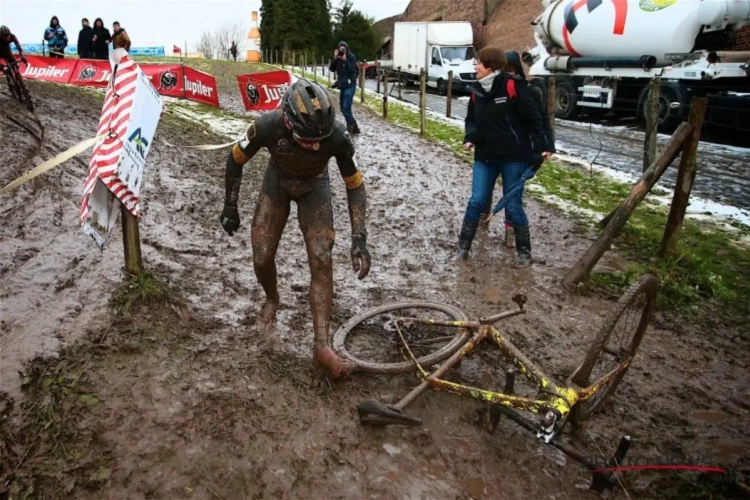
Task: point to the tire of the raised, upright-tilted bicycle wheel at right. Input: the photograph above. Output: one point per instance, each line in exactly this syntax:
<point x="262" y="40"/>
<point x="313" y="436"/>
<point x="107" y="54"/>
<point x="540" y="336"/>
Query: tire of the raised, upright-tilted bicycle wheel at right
<point x="646" y="285"/>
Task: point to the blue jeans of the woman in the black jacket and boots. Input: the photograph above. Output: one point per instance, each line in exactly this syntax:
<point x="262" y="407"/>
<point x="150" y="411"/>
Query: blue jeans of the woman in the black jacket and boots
<point x="482" y="184"/>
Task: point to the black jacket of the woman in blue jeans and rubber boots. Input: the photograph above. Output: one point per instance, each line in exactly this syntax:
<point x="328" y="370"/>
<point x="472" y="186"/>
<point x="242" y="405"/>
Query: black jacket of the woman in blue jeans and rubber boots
<point x="502" y="129"/>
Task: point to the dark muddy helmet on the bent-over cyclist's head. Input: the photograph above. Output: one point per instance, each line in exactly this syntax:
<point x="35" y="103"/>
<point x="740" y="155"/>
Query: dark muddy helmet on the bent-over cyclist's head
<point x="309" y="111"/>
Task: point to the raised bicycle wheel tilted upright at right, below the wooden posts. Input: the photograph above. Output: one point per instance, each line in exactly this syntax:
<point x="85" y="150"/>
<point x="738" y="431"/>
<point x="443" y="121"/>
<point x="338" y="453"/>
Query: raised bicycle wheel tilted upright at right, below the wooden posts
<point x="636" y="304"/>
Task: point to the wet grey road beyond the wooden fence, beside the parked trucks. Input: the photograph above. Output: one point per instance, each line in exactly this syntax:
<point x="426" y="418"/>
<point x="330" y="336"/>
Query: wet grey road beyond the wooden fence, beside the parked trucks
<point x="723" y="174"/>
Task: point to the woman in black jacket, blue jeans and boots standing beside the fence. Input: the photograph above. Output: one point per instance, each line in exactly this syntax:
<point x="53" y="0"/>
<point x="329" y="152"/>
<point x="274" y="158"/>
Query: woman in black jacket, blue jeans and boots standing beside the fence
<point x="505" y="129"/>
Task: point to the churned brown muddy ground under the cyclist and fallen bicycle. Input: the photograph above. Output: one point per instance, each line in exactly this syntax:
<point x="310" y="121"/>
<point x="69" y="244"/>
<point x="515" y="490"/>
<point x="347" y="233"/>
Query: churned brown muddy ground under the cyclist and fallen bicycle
<point x="177" y="396"/>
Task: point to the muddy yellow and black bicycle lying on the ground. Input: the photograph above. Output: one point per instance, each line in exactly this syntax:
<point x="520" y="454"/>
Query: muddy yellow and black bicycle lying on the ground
<point x="576" y="401"/>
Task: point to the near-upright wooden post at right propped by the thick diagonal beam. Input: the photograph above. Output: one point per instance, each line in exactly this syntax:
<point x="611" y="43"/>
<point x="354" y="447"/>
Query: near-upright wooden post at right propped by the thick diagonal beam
<point x="685" y="178"/>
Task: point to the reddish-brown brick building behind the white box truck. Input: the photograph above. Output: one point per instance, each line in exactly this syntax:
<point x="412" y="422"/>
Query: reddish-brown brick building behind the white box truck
<point x="504" y="23"/>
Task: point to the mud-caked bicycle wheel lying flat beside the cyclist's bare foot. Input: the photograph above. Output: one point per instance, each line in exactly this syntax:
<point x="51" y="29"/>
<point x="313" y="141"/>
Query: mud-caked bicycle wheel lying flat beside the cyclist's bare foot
<point x="421" y="338"/>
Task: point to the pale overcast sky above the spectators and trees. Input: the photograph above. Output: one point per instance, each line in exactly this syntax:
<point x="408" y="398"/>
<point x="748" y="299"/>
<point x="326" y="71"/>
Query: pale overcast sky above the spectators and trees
<point x="150" y="22"/>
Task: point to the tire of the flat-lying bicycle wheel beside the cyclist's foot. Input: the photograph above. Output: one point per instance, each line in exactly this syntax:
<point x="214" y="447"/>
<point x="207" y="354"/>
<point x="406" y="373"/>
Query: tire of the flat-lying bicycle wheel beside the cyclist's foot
<point x="339" y="338"/>
